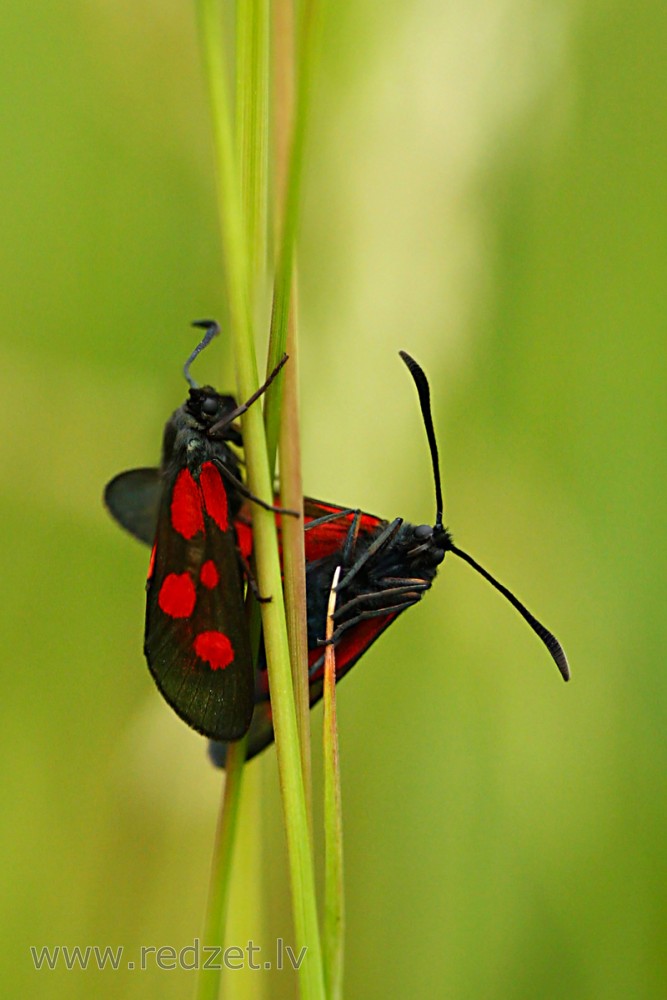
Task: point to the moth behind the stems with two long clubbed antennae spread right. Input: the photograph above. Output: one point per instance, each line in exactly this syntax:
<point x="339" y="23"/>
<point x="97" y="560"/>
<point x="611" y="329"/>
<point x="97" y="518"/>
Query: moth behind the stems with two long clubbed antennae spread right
<point x="386" y="568"/>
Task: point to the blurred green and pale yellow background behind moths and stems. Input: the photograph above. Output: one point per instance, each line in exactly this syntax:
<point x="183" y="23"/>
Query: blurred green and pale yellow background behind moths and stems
<point x="485" y="188"/>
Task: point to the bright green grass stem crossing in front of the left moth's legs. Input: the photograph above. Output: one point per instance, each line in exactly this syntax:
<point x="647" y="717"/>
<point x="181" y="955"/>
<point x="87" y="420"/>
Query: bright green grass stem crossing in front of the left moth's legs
<point x="239" y="292"/>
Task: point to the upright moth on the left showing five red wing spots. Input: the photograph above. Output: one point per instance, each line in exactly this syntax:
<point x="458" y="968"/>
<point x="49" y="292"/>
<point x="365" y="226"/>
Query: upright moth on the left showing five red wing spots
<point x="196" y="640"/>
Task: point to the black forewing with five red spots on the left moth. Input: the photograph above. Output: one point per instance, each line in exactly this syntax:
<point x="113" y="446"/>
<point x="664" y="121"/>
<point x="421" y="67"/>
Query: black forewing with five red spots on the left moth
<point x="196" y="643"/>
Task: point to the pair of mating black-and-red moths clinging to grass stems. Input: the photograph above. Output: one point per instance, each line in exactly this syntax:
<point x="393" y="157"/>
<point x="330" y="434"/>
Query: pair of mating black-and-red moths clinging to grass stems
<point x="196" y="513"/>
